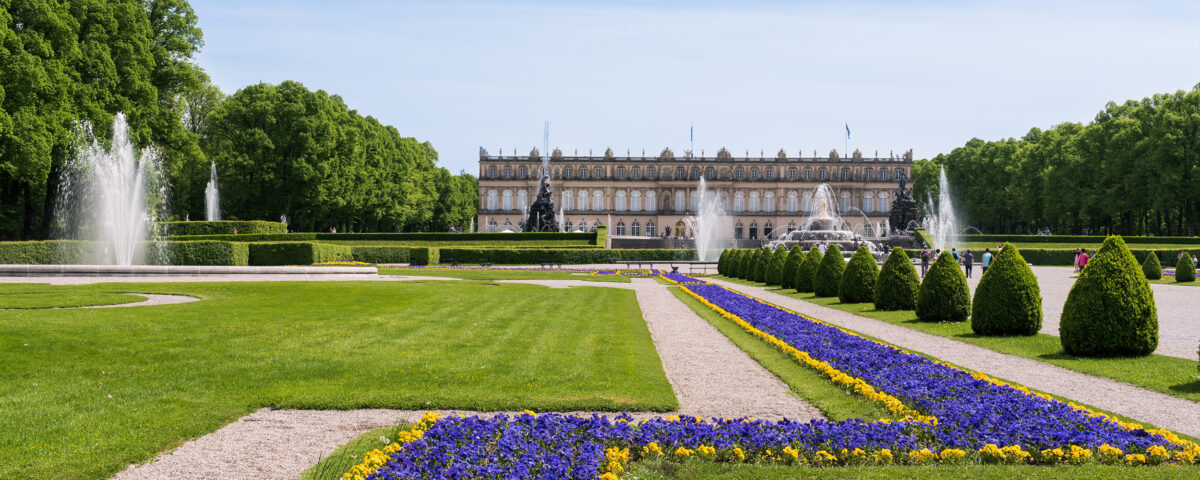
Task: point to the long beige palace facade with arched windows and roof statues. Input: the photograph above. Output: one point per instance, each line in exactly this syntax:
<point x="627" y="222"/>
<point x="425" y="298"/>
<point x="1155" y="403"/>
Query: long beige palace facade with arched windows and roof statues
<point x="640" y="196"/>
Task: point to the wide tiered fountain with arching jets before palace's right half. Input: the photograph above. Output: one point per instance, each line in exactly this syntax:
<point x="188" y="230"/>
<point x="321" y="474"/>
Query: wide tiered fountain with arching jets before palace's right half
<point x="825" y="226"/>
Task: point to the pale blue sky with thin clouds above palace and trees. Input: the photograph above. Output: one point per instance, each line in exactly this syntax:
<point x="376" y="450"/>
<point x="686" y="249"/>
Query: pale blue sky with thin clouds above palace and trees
<point x="761" y="76"/>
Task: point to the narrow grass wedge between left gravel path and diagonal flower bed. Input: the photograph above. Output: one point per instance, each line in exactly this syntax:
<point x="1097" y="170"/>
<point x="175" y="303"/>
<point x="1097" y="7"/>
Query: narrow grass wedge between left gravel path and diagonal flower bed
<point x="835" y="403"/>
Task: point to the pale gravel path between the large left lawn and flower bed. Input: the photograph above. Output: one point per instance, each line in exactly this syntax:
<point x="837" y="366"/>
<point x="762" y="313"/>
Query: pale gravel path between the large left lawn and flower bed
<point x="710" y="375"/>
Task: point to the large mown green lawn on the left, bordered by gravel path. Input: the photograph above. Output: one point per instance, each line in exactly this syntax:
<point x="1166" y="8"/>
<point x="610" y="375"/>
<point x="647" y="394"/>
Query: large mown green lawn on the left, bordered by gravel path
<point x="83" y="393"/>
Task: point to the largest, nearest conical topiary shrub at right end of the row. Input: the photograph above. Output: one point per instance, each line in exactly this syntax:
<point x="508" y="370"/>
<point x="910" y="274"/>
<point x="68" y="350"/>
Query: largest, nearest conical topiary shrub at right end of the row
<point x="1111" y="310"/>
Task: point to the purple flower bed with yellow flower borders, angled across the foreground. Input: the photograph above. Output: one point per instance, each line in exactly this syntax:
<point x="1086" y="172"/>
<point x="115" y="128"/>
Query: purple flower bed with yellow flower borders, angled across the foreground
<point x="940" y="415"/>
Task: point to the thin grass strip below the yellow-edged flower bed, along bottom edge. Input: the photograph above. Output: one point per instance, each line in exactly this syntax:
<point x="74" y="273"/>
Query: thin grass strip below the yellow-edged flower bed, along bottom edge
<point x="710" y="471"/>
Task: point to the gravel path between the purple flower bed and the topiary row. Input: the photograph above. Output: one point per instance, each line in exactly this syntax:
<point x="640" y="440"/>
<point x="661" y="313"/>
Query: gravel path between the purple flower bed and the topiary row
<point x="1163" y="411"/>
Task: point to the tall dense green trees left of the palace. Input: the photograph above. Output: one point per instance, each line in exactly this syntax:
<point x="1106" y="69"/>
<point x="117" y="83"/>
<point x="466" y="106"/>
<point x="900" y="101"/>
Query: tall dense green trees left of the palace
<point x="279" y="149"/>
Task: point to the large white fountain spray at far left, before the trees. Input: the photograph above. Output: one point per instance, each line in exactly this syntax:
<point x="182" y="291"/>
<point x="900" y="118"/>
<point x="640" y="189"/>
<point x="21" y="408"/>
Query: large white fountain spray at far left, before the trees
<point x="113" y="197"/>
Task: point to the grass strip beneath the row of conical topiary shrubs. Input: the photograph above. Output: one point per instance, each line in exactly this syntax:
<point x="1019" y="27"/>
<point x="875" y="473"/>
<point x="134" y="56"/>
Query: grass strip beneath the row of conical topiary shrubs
<point x="1167" y="375"/>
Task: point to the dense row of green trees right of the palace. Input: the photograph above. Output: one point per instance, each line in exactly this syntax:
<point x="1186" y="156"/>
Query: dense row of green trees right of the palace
<point x="1133" y="171"/>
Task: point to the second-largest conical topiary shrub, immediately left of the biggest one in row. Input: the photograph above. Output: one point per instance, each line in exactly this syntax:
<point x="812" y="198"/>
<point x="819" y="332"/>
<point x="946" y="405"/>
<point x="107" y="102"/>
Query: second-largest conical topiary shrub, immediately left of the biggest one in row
<point x="1009" y="301"/>
